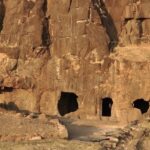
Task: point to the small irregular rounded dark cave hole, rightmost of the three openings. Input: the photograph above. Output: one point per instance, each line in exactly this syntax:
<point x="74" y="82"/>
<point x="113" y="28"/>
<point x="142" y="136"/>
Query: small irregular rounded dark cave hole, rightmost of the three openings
<point x="142" y="105"/>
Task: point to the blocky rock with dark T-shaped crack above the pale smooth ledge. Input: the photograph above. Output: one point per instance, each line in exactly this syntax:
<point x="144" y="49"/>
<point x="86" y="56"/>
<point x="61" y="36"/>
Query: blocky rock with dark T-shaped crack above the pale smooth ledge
<point x="136" y="23"/>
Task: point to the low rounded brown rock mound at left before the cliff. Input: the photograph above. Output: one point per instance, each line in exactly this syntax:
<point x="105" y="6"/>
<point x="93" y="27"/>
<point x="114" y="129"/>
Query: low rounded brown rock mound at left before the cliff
<point x="16" y="127"/>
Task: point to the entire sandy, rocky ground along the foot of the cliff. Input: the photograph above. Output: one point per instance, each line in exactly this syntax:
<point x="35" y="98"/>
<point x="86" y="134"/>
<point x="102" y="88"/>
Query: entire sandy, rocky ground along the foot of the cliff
<point x="21" y="131"/>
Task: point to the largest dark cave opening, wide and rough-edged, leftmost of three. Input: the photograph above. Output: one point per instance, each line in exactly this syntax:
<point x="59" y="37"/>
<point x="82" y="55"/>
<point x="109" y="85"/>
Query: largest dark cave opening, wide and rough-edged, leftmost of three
<point x="67" y="103"/>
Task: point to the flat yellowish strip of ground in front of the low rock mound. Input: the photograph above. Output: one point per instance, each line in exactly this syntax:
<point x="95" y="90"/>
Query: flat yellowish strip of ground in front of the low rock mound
<point x="56" y="144"/>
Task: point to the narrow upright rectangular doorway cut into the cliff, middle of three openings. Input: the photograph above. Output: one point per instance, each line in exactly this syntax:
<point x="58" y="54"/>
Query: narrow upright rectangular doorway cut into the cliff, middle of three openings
<point x="106" y="106"/>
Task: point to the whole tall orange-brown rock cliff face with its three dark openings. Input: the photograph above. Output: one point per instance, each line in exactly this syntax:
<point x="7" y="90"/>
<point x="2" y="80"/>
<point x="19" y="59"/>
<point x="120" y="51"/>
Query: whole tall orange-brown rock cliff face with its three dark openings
<point x="90" y="57"/>
